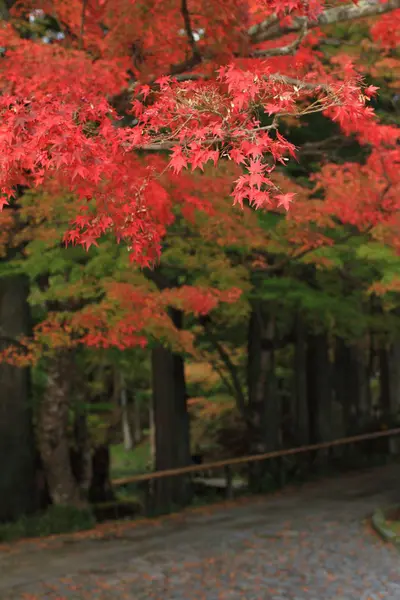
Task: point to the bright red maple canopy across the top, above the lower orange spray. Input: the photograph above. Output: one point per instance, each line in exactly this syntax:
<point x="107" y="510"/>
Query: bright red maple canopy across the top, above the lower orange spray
<point x="197" y="75"/>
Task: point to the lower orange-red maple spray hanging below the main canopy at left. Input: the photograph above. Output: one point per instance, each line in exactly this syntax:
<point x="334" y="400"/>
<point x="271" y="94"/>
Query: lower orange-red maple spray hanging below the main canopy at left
<point x="127" y="317"/>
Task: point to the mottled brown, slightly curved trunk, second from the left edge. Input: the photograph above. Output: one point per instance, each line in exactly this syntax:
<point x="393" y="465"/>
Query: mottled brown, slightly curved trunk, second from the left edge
<point x="53" y="433"/>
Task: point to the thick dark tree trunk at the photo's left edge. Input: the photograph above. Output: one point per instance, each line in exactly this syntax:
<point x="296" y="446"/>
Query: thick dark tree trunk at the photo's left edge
<point x="18" y="490"/>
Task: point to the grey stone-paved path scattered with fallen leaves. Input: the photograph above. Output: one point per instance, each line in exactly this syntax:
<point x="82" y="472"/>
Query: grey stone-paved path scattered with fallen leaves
<point x="311" y="544"/>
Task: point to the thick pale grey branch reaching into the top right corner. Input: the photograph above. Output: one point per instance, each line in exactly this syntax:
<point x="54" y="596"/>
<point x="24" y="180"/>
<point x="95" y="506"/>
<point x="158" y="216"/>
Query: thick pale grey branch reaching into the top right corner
<point x="271" y="28"/>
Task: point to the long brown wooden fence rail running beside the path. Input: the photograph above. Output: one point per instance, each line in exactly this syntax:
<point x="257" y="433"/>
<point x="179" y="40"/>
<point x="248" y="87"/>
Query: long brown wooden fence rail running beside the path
<point x="227" y="464"/>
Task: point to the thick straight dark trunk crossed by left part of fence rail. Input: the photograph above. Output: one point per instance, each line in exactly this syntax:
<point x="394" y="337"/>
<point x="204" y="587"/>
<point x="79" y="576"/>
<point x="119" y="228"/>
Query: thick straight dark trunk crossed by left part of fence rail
<point x="171" y="420"/>
